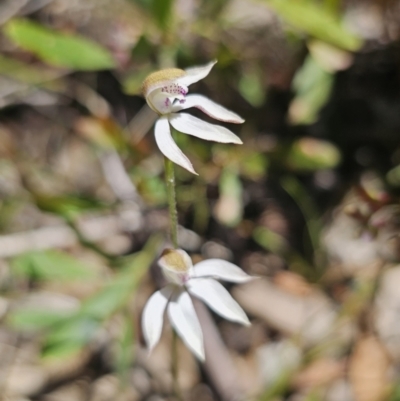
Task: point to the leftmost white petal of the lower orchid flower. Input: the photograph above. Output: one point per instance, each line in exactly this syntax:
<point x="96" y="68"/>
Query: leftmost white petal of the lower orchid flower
<point x="152" y="317"/>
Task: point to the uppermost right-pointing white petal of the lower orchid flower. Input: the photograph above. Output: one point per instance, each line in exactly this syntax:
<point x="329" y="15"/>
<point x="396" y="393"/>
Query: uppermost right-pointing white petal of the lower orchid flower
<point x="220" y="269"/>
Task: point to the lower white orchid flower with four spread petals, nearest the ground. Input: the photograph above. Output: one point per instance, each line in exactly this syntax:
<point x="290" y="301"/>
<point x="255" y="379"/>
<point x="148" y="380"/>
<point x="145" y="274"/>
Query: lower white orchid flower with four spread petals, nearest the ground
<point x="198" y="280"/>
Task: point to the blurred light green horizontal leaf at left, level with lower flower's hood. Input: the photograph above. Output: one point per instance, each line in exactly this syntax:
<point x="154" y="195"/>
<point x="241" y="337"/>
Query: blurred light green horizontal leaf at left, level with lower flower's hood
<point x="50" y="265"/>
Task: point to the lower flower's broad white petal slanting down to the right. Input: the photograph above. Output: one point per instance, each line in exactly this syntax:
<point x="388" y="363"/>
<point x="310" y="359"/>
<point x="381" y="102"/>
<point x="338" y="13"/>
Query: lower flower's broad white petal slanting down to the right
<point x="218" y="299"/>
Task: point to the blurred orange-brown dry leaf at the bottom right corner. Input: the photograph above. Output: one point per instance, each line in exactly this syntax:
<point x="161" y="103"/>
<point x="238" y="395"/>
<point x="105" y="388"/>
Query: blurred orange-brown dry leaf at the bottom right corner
<point x="368" y="370"/>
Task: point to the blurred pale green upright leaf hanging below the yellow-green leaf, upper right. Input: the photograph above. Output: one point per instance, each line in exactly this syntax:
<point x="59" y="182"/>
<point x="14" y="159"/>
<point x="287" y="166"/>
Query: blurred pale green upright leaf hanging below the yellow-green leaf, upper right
<point x="312" y="85"/>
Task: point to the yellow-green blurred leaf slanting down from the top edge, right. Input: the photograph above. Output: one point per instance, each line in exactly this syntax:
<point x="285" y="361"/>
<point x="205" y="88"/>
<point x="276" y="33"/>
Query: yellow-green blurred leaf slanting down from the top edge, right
<point x="317" y="21"/>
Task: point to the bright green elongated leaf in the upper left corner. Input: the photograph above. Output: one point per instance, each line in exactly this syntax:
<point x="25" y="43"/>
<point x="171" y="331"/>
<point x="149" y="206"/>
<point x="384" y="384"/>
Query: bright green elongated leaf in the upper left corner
<point x="62" y="50"/>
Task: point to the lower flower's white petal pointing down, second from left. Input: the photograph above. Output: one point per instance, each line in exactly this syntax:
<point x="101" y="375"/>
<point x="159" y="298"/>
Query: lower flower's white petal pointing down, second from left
<point x="184" y="319"/>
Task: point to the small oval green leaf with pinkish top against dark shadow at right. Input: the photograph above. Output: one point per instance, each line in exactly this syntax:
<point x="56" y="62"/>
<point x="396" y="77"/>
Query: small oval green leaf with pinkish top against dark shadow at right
<point x="309" y="154"/>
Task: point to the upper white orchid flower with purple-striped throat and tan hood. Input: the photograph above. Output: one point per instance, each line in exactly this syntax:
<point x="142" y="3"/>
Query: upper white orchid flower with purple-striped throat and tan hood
<point x="166" y="92"/>
